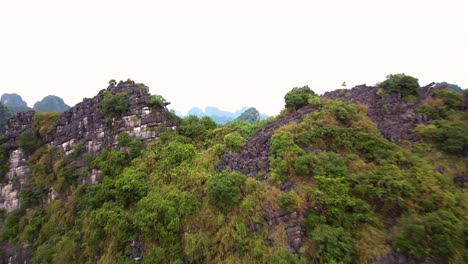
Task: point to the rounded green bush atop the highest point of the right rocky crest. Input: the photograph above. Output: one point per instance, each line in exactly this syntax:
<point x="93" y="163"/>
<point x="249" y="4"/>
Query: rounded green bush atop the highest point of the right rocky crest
<point x="405" y="85"/>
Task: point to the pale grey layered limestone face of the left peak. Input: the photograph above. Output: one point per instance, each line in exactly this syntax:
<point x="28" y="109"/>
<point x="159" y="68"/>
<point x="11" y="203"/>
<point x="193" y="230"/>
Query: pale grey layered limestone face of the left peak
<point x="85" y="123"/>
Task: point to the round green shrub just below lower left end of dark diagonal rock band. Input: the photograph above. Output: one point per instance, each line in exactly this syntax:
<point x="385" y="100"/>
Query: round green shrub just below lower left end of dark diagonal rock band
<point x="224" y="189"/>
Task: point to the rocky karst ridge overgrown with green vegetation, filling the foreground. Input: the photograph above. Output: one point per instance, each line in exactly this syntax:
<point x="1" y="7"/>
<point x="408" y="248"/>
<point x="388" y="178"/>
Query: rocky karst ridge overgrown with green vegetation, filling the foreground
<point x="323" y="184"/>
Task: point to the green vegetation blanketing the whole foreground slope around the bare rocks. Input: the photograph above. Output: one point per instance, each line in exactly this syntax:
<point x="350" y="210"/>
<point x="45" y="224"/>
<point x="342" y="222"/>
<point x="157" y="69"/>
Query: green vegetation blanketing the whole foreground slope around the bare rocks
<point x="358" y="195"/>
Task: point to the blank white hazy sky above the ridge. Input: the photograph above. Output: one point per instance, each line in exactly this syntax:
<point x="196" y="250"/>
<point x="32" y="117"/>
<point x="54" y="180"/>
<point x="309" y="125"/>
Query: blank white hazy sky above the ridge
<point x="226" y="53"/>
